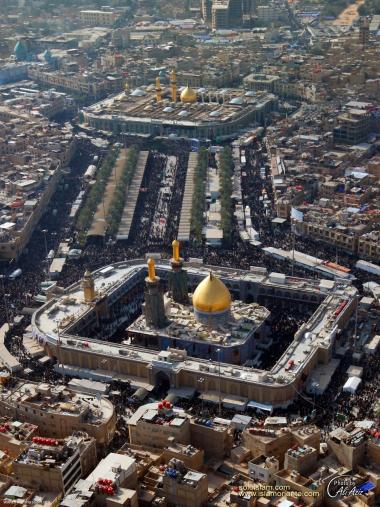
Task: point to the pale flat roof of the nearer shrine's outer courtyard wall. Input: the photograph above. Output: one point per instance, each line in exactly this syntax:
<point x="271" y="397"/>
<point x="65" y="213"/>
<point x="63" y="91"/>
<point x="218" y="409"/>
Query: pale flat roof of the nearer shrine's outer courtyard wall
<point x="317" y="332"/>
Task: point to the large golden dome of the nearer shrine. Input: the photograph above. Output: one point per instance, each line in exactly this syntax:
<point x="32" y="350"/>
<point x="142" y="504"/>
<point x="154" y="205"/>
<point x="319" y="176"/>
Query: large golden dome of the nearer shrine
<point x="211" y="295"/>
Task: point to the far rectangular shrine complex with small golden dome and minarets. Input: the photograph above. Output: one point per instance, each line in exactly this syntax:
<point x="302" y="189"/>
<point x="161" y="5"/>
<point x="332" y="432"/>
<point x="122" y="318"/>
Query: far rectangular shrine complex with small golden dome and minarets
<point x="207" y="114"/>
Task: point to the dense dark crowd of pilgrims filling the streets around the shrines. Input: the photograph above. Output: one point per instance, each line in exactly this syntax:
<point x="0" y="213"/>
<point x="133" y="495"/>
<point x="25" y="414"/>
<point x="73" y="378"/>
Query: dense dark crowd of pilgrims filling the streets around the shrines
<point x="18" y="294"/>
